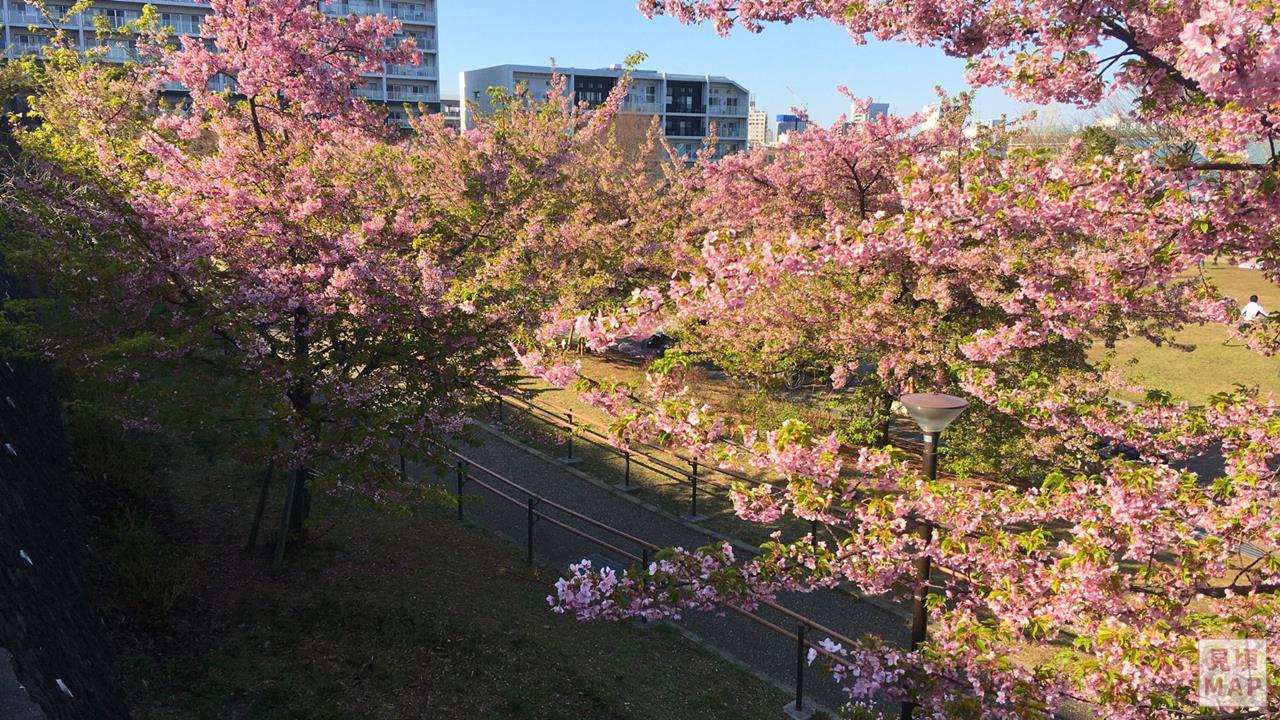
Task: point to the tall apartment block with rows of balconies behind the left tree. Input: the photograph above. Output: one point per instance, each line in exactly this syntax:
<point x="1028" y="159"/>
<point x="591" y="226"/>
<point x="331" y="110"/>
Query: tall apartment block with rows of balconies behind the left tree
<point x="396" y="85"/>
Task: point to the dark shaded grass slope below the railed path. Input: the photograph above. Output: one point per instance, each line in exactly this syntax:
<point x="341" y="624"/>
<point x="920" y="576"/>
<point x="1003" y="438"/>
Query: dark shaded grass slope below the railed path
<point x="386" y="617"/>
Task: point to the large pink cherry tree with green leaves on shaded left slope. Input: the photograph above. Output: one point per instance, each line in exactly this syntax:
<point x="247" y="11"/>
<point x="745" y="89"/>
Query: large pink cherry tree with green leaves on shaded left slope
<point x="346" y="285"/>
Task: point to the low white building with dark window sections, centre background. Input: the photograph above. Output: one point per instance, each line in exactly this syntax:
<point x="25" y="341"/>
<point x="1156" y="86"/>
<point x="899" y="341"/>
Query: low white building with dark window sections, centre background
<point x="687" y="106"/>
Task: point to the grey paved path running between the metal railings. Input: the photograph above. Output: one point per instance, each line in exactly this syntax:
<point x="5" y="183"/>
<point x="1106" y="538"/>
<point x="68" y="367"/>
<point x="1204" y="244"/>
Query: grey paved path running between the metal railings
<point x="762" y="650"/>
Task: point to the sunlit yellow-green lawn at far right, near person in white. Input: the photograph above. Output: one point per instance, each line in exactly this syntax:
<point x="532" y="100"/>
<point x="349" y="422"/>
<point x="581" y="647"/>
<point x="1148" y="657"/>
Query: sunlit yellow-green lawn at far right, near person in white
<point x="1212" y="367"/>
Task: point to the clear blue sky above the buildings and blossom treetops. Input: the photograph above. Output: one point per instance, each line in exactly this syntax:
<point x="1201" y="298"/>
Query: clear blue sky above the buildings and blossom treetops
<point x="784" y="67"/>
